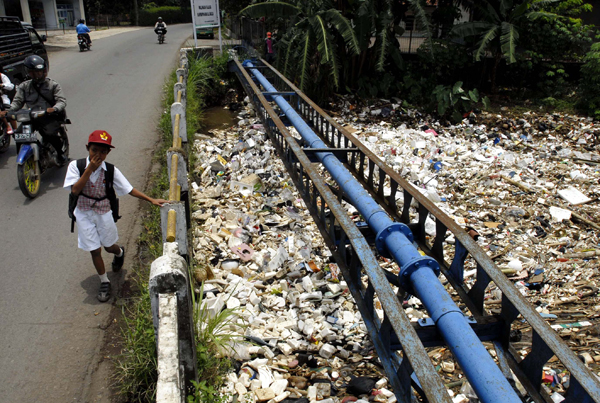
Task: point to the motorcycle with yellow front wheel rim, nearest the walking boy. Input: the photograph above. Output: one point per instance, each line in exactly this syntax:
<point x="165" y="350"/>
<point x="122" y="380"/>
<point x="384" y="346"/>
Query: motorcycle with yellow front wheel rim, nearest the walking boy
<point x="35" y="156"/>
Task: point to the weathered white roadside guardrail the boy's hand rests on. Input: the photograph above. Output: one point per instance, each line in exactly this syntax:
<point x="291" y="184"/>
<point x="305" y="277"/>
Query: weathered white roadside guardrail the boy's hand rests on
<point x="169" y="285"/>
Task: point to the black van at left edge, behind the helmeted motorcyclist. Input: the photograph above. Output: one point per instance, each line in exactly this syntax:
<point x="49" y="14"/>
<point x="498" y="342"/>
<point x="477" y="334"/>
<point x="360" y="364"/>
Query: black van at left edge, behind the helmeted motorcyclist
<point x="17" y="41"/>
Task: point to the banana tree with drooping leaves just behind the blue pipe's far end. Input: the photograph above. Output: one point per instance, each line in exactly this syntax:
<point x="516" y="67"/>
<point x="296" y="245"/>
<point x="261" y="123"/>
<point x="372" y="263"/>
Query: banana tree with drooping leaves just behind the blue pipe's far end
<point x="320" y="34"/>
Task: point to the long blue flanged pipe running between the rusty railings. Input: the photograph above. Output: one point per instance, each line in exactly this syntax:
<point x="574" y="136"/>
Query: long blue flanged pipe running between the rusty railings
<point x="417" y="273"/>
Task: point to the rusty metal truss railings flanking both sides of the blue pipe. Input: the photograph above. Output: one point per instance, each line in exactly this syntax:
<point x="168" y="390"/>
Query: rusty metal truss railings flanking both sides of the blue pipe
<point x="400" y="343"/>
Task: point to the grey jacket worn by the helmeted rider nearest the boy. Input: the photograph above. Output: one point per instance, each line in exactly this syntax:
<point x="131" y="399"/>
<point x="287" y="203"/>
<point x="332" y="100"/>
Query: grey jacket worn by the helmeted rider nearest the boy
<point x="26" y="94"/>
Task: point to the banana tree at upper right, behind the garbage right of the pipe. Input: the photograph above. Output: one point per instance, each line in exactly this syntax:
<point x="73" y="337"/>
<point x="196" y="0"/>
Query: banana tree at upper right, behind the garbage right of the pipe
<point x="496" y="31"/>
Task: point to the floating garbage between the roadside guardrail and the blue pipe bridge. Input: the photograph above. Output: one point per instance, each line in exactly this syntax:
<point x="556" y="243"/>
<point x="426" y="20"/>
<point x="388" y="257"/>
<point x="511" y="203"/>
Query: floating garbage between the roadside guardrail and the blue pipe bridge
<point x="260" y="254"/>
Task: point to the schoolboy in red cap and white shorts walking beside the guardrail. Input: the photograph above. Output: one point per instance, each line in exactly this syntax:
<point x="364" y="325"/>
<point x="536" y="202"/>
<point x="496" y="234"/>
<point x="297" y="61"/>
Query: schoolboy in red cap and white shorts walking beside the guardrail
<point x="96" y="227"/>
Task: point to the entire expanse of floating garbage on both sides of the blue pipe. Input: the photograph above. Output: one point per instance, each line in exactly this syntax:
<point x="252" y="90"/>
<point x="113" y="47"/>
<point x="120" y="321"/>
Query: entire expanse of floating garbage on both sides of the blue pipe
<point x="528" y="185"/>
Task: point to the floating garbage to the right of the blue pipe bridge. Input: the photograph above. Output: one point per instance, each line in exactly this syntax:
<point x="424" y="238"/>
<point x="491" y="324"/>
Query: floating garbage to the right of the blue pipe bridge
<point x="529" y="185"/>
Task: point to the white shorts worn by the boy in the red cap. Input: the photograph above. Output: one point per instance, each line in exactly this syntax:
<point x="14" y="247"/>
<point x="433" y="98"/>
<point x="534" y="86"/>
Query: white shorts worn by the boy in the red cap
<point x="95" y="230"/>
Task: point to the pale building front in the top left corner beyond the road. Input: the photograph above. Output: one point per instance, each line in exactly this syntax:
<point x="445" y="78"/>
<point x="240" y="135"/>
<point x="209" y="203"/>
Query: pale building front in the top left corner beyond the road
<point x="49" y="14"/>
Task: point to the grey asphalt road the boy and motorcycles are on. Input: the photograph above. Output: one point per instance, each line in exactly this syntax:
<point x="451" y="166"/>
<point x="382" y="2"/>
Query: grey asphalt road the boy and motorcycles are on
<point x="50" y="320"/>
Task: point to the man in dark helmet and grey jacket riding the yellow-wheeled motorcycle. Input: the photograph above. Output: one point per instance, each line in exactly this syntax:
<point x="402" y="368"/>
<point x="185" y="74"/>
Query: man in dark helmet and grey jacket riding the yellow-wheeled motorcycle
<point x="42" y="93"/>
